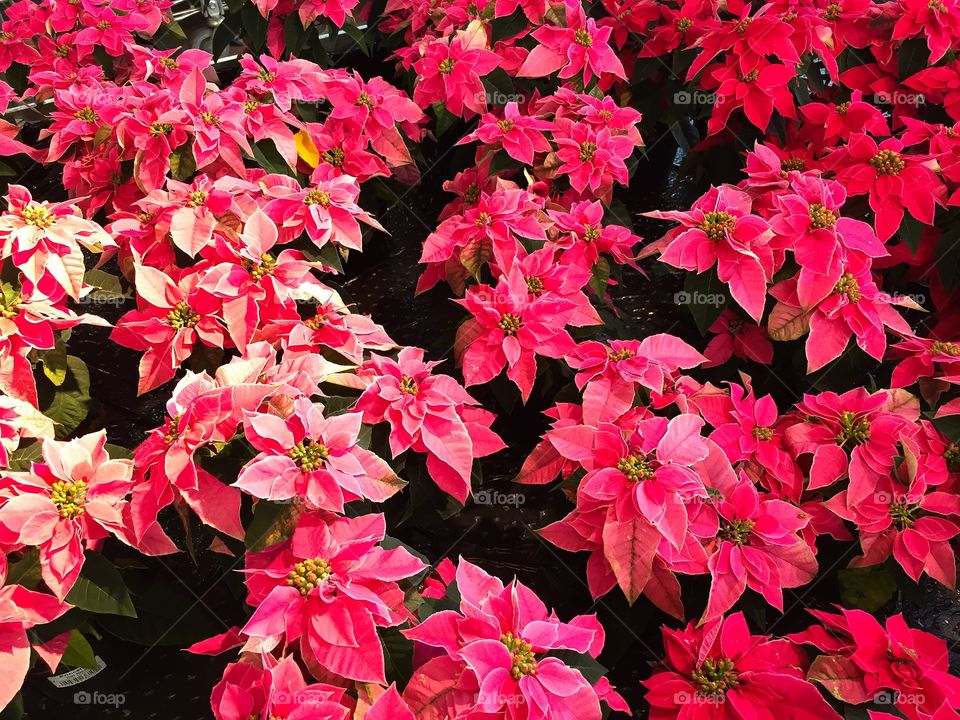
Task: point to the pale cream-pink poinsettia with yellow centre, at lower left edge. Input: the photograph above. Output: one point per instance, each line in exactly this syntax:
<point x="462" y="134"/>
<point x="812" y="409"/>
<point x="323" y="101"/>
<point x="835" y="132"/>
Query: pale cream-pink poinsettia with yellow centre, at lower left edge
<point x="66" y="504"/>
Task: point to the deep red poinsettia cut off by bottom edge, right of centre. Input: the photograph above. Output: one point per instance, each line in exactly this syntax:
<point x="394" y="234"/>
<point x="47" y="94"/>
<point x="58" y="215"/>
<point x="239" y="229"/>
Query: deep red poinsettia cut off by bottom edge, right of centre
<point x="719" y="671"/>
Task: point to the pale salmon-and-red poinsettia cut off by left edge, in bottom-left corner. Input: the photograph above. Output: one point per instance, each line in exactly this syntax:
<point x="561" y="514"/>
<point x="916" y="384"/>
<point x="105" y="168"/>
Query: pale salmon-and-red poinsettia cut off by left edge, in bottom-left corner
<point x="20" y="610"/>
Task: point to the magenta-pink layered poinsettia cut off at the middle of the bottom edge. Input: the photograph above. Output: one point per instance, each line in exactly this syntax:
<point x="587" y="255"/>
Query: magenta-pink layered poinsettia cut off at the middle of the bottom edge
<point x="502" y="634"/>
